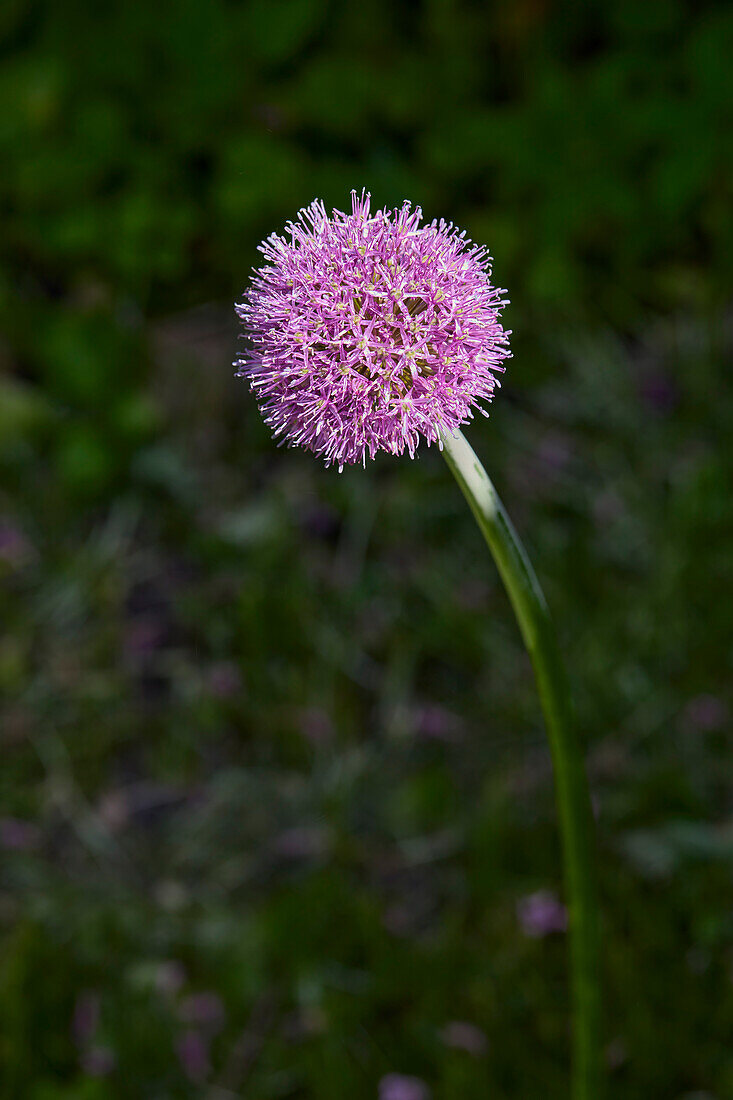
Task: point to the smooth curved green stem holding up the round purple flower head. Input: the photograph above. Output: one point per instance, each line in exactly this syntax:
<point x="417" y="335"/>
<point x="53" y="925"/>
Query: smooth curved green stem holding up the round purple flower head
<point x="572" y="786"/>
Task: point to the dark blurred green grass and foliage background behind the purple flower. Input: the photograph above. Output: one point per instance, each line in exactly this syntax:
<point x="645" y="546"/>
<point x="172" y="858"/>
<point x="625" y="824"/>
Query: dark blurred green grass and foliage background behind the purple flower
<point x="277" y="809"/>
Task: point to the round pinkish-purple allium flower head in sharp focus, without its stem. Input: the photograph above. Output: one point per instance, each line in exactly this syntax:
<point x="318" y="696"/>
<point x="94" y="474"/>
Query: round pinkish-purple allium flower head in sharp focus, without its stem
<point x="369" y="331"/>
